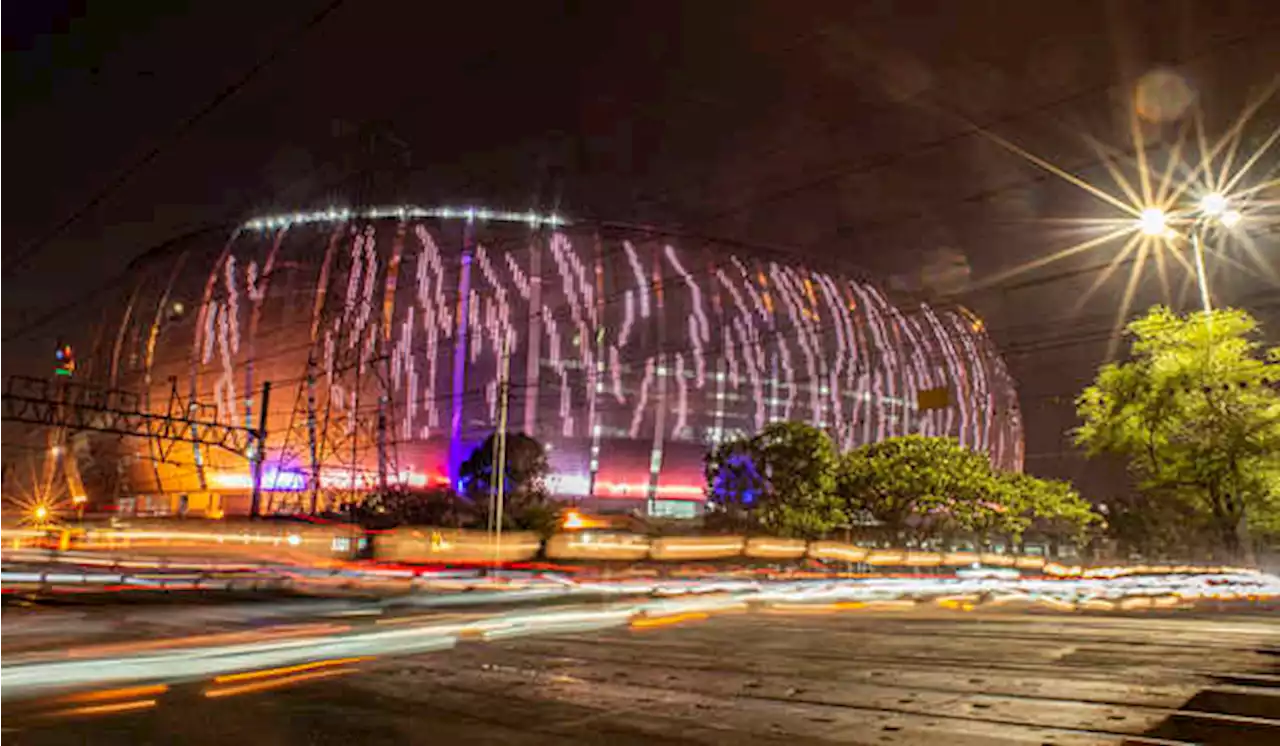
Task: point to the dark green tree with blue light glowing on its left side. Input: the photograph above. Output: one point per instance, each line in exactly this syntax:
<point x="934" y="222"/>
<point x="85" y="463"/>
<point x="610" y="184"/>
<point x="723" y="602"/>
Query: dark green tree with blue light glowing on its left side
<point x="783" y="480"/>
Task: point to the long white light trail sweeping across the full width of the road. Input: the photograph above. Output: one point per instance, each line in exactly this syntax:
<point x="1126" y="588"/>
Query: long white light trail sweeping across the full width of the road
<point x="668" y="603"/>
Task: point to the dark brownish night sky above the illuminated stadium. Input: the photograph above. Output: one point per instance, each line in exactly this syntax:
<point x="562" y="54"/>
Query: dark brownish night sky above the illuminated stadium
<point x="839" y="130"/>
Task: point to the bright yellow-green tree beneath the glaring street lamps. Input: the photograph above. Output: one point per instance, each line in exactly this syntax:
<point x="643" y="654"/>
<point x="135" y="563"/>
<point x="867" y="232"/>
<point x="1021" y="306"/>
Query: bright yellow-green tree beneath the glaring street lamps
<point x="1196" y="414"/>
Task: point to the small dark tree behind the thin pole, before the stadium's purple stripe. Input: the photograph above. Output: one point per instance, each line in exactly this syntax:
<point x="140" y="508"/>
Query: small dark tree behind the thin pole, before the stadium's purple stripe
<point x="527" y="502"/>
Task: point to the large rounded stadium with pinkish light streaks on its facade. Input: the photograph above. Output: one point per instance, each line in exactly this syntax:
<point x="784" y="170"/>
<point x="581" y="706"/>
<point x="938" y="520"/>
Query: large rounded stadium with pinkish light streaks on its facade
<point x="391" y="340"/>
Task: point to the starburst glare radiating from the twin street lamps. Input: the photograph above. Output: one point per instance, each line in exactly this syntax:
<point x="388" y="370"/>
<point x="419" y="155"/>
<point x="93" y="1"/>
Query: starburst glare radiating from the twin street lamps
<point x="1148" y="214"/>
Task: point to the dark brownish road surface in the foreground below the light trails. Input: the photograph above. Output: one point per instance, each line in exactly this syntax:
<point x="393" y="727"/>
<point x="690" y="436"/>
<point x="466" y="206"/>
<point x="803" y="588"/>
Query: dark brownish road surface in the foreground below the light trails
<point x="851" y="678"/>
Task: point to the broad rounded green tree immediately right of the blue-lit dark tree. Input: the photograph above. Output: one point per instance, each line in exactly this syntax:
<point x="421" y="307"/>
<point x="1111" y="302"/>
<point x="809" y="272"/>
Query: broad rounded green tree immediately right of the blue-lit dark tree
<point x="920" y="487"/>
